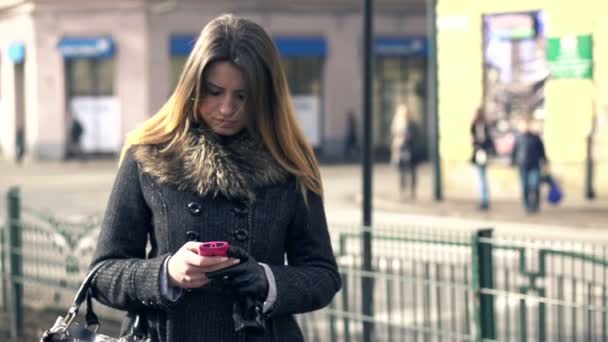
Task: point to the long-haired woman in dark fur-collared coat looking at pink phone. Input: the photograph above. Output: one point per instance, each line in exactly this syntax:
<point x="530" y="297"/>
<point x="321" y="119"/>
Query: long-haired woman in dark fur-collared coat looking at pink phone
<point x="224" y="159"/>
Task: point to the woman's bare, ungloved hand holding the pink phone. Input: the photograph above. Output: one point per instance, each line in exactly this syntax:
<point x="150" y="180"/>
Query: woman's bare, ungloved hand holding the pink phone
<point x="187" y="269"/>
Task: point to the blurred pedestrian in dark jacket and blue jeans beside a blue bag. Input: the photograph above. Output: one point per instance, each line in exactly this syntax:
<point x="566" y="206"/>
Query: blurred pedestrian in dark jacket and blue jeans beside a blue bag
<point x="529" y="156"/>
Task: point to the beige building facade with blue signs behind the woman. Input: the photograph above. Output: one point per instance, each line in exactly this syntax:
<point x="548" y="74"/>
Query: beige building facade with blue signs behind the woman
<point x="111" y="64"/>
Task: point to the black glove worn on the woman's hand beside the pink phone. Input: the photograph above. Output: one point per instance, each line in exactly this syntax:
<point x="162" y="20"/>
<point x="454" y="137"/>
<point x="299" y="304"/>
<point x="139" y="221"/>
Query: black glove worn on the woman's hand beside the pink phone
<point x="247" y="278"/>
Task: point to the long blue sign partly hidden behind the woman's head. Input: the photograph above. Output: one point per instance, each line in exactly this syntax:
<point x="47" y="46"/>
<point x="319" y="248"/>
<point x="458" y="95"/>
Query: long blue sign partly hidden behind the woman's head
<point x="182" y="44"/>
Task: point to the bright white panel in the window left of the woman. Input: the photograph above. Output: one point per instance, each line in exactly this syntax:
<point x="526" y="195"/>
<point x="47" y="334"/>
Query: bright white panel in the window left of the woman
<point x="101" y="121"/>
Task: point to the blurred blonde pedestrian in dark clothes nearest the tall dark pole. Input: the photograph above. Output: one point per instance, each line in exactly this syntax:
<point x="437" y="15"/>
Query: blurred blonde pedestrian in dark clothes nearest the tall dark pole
<point x="404" y="132"/>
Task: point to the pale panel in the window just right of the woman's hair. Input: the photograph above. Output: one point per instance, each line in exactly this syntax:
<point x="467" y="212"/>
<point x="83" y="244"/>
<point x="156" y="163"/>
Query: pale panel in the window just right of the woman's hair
<point x="308" y="110"/>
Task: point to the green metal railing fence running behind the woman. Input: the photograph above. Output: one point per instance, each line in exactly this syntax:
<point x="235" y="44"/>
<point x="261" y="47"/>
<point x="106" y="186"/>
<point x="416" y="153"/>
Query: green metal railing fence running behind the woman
<point x="429" y="284"/>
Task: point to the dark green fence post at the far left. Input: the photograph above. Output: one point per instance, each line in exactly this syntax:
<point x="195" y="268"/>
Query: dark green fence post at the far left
<point x="15" y="284"/>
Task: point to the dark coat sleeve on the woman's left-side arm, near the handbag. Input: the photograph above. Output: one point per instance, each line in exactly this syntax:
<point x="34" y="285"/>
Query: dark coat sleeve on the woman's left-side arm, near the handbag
<point x="127" y="281"/>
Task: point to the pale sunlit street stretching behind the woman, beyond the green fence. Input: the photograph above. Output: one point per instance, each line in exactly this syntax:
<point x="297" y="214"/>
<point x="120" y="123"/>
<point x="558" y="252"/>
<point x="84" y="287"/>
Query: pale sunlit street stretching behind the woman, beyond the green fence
<point x="80" y="189"/>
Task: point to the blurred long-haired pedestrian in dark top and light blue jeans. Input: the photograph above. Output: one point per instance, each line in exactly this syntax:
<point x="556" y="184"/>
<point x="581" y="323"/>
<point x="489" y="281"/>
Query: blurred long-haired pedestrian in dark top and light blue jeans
<point x="483" y="148"/>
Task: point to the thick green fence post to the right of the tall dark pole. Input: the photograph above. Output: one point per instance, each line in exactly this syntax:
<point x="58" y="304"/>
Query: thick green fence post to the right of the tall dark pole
<point x="483" y="278"/>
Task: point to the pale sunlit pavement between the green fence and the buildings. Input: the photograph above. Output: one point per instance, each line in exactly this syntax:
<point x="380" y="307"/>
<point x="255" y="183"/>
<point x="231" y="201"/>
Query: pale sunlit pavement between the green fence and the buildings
<point x="82" y="188"/>
